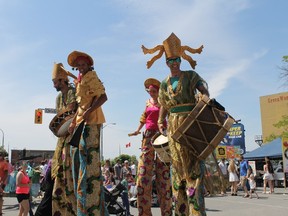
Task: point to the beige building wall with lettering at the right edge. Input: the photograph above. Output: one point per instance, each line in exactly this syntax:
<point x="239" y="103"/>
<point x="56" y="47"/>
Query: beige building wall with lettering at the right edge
<point x="273" y="107"/>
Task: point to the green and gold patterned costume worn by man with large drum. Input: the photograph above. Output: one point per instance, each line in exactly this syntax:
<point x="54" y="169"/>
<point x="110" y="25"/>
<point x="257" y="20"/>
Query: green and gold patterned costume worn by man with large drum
<point x="177" y="96"/>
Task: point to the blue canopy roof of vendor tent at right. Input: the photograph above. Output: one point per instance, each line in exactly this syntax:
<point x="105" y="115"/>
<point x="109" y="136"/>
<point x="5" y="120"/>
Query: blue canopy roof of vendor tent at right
<point x="272" y="149"/>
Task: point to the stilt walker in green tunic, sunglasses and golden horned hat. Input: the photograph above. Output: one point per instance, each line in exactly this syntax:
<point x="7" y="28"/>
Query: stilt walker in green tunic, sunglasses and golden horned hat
<point x="177" y="99"/>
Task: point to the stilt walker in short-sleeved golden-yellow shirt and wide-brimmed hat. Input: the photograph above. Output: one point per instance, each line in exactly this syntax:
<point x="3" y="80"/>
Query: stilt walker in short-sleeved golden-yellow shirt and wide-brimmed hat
<point x="90" y="96"/>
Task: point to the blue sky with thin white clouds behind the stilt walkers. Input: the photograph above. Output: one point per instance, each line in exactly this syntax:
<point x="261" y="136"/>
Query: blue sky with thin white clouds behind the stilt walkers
<point x="244" y="41"/>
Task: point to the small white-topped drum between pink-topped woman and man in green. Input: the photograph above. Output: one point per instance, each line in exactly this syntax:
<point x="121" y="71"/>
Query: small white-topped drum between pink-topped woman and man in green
<point x="161" y="147"/>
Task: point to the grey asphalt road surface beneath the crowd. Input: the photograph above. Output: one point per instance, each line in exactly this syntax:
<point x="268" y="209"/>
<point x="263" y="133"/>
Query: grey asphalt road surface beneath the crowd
<point x="268" y="204"/>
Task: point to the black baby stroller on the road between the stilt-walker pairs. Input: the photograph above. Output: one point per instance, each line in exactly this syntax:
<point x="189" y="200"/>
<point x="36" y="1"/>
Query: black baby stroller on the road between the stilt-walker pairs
<point x="111" y="197"/>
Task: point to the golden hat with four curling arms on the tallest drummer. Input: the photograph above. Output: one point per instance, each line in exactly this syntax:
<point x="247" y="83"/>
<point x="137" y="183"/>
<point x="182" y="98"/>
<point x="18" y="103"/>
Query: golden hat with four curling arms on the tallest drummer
<point x="172" y="48"/>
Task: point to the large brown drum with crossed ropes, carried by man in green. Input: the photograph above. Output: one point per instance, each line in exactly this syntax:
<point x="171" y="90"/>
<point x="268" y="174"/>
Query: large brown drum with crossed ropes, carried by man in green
<point x="204" y="128"/>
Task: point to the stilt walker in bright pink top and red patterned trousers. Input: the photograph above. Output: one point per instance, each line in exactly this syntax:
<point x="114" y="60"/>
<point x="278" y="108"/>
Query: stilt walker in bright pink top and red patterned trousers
<point x="149" y="163"/>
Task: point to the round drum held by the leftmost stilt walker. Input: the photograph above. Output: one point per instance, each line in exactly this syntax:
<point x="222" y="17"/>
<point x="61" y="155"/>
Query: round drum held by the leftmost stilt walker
<point x="60" y="123"/>
